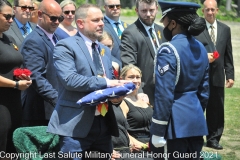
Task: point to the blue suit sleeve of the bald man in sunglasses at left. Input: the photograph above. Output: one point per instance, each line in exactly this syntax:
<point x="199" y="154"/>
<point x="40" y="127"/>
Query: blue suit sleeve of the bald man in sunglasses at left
<point x="37" y="60"/>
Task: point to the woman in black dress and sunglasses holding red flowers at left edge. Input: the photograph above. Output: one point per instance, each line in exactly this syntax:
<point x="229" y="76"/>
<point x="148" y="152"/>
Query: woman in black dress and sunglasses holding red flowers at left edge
<point x="10" y="86"/>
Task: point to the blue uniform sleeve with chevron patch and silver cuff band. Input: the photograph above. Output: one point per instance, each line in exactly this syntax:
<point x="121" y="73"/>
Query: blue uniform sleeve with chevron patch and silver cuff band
<point x="165" y="77"/>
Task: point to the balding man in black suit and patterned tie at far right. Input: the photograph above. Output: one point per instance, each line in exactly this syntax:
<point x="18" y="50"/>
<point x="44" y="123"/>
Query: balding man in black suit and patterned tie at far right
<point x="217" y="38"/>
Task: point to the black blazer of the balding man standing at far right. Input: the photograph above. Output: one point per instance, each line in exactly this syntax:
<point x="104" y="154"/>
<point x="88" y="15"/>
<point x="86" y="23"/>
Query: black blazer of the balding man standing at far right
<point x="224" y="64"/>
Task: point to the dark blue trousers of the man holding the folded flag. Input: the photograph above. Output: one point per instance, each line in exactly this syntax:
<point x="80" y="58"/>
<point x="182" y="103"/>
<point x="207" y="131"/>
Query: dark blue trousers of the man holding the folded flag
<point x="97" y="144"/>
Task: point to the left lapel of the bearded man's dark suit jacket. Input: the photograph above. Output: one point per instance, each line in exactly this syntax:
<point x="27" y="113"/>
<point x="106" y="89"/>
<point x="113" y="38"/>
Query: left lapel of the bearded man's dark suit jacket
<point x="146" y="37"/>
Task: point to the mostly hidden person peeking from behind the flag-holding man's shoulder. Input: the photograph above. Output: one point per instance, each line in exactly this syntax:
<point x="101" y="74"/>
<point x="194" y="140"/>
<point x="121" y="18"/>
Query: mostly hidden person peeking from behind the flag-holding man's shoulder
<point x="107" y="40"/>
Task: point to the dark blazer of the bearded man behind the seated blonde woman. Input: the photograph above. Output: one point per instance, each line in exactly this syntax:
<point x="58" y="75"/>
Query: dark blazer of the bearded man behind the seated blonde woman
<point x="136" y="48"/>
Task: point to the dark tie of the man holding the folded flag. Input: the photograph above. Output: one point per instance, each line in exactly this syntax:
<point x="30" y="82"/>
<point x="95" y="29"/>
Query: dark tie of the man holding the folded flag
<point x="96" y="59"/>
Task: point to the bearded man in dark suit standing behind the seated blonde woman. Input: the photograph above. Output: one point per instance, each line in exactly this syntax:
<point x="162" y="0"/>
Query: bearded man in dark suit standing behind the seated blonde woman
<point x="137" y="45"/>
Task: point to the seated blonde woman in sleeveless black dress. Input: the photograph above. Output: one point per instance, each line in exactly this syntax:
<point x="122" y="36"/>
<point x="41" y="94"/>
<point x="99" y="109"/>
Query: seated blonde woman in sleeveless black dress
<point x="134" y="115"/>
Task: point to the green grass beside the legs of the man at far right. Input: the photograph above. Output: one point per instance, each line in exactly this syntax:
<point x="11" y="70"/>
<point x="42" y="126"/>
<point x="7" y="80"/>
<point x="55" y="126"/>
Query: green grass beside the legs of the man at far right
<point x="231" y="138"/>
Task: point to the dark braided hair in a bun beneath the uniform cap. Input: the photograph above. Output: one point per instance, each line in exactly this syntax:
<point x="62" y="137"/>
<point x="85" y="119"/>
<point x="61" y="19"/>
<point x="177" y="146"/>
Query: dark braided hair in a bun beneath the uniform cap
<point x="189" y="21"/>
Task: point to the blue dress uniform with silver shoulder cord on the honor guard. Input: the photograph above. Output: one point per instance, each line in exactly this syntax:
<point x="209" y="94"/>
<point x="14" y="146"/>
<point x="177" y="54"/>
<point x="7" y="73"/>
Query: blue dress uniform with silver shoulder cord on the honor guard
<point x="181" y="90"/>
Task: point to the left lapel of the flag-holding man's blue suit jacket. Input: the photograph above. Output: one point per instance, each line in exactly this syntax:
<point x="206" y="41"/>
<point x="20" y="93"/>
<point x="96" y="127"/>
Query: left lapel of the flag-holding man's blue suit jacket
<point x="85" y="51"/>
